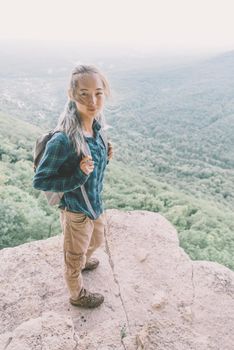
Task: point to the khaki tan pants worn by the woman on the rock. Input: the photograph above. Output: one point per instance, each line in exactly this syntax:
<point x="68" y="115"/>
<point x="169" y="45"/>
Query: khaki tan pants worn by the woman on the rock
<point x="82" y="236"/>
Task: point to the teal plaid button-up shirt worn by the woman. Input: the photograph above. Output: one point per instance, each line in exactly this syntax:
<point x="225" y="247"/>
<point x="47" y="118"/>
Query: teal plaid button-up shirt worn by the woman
<point x="59" y="171"/>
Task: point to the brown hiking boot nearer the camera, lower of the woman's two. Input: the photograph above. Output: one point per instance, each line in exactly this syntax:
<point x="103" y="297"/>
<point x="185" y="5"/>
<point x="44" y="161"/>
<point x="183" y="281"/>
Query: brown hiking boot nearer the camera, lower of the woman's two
<point x="88" y="299"/>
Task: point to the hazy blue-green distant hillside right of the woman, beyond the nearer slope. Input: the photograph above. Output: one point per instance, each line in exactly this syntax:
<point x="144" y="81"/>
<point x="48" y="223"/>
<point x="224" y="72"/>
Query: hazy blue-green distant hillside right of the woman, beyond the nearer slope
<point x="179" y="125"/>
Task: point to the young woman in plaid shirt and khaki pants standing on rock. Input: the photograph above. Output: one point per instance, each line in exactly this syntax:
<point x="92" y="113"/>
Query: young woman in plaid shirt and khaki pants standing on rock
<point x="74" y="163"/>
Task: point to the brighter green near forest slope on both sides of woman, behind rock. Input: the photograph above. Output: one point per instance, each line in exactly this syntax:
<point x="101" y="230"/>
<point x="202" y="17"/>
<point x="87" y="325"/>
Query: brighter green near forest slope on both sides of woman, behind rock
<point x="205" y="227"/>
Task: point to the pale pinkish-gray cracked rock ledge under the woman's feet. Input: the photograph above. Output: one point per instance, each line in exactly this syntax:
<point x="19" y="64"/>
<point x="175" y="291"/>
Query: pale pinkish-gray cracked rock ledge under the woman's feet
<point x="155" y="296"/>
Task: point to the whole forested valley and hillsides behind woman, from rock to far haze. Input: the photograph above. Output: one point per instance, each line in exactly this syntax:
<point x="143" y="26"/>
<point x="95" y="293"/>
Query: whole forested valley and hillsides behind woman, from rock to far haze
<point x="173" y="133"/>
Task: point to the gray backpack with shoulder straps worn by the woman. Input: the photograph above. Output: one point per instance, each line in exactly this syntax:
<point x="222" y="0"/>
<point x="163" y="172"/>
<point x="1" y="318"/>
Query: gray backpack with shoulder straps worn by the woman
<point x="54" y="198"/>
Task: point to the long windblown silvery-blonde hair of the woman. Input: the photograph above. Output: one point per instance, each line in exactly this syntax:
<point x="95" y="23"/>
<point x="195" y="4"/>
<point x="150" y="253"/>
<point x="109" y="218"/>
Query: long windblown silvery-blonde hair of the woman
<point x="70" y="120"/>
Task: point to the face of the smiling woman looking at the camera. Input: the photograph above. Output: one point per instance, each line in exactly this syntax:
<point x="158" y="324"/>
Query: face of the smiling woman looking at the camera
<point x="90" y="95"/>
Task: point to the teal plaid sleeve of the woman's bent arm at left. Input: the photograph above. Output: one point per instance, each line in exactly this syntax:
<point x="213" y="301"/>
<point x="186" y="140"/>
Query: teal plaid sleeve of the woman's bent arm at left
<point x="47" y="177"/>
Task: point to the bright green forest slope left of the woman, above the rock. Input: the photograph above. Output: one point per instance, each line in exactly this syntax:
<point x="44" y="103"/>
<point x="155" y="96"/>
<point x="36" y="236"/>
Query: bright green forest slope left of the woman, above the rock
<point x="24" y="213"/>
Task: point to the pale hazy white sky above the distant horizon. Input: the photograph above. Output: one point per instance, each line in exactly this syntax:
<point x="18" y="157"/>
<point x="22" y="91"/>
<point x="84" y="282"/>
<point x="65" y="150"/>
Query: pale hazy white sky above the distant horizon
<point x="150" y="24"/>
